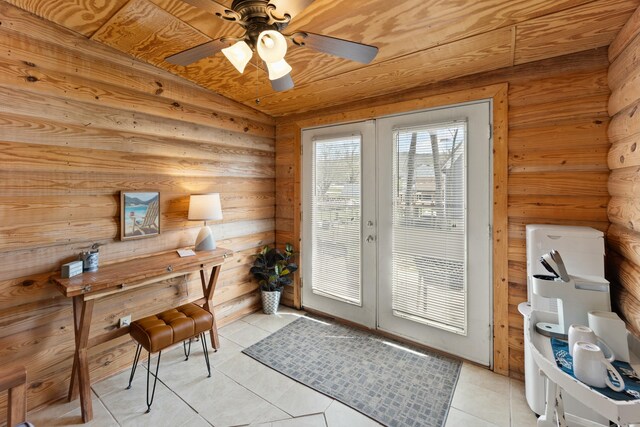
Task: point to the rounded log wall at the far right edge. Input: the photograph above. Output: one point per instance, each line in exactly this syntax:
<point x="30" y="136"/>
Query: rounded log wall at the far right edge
<point x="623" y="239"/>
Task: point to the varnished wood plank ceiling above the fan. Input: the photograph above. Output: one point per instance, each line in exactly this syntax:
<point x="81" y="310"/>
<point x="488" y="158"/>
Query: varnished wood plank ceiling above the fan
<point x="420" y="41"/>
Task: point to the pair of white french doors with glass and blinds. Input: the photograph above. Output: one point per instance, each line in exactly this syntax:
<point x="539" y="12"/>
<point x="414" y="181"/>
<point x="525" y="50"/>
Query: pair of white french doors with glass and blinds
<point x="396" y="226"/>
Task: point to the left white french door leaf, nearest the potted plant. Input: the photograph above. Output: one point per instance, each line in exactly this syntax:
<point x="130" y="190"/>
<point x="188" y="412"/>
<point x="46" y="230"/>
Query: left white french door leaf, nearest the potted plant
<point x="339" y="193"/>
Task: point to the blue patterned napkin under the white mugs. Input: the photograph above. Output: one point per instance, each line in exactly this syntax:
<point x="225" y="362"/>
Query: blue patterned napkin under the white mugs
<point x="632" y="383"/>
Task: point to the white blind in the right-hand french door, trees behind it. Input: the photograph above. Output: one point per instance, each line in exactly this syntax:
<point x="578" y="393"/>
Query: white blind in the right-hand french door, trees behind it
<point x="429" y="242"/>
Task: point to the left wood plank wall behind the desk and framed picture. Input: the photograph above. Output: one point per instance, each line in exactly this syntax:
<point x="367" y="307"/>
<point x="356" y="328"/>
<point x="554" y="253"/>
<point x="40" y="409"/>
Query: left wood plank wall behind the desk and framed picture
<point x="78" y="123"/>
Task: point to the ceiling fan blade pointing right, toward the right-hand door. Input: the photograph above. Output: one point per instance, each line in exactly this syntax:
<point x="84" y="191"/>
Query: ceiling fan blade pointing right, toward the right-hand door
<point x="337" y="47"/>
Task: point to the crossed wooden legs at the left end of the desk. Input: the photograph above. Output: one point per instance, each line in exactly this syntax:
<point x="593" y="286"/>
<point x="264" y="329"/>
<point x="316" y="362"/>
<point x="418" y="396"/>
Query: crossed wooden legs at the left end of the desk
<point x="80" y="381"/>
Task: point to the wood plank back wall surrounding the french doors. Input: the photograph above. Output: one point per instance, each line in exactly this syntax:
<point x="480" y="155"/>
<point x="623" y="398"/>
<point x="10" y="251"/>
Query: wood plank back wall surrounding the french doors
<point x="557" y="159"/>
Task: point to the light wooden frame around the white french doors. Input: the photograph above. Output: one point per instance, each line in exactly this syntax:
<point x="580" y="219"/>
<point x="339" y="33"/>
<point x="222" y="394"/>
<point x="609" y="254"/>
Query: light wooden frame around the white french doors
<point x="291" y="131"/>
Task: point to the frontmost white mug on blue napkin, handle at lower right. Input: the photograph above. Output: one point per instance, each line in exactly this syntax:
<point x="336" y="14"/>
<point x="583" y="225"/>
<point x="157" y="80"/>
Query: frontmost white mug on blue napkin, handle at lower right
<point x="590" y="367"/>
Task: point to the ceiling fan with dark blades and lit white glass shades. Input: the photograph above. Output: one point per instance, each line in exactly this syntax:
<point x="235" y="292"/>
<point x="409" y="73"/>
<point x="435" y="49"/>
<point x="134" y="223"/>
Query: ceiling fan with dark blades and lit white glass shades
<point x="263" y="22"/>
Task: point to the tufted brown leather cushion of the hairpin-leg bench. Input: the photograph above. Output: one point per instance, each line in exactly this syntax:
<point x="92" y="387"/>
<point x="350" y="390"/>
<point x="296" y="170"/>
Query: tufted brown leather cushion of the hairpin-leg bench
<point x="158" y="332"/>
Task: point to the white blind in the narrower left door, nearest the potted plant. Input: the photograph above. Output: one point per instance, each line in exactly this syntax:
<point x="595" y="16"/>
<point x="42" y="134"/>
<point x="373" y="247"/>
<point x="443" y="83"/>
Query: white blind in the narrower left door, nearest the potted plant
<point x="336" y="218"/>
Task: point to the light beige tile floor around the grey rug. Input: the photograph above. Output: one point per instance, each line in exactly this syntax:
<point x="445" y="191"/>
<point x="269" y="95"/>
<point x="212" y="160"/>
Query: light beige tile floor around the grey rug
<point x="245" y="392"/>
